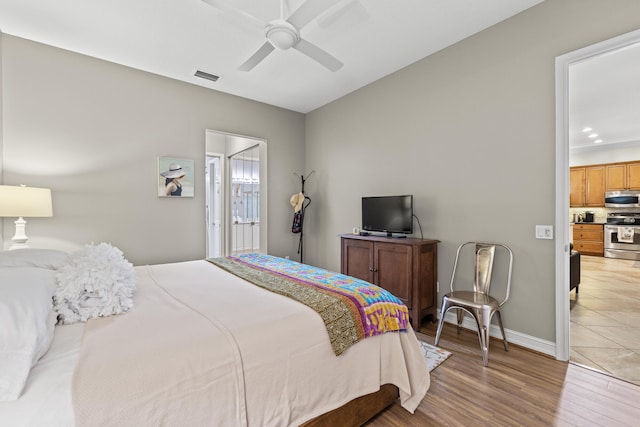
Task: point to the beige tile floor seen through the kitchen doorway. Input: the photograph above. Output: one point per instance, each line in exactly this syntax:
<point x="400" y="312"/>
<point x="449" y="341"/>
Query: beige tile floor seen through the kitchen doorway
<point x="605" y="317"/>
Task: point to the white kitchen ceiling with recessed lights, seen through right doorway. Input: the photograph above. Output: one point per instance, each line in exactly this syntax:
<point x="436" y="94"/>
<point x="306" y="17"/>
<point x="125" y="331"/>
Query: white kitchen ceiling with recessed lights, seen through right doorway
<point x="604" y="94"/>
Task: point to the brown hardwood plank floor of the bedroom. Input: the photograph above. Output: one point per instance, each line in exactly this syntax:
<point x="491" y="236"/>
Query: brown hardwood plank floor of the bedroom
<point x="518" y="388"/>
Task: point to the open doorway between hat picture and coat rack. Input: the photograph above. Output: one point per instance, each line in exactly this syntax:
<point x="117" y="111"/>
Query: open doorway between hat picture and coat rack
<point x="236" y="199"/>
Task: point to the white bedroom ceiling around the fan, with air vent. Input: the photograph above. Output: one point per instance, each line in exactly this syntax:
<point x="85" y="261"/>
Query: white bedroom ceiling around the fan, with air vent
<point x="174" y="38"/>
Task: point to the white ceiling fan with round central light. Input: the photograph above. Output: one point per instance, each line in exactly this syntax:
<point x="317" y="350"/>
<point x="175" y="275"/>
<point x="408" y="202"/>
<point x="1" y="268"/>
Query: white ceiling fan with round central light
<point x="284" y="34"/>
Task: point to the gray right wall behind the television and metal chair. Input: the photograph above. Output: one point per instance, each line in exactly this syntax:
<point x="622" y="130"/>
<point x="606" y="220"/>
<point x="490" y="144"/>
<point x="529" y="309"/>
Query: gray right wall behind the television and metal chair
<point x="470" y="132"/>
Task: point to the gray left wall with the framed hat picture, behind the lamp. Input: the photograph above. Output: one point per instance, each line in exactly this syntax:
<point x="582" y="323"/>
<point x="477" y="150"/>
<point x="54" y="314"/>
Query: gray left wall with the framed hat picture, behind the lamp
<point x="92" y="131"/>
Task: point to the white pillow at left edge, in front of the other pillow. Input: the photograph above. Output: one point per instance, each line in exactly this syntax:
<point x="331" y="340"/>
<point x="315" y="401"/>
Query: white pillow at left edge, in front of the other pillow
<point x="27" y="324"/>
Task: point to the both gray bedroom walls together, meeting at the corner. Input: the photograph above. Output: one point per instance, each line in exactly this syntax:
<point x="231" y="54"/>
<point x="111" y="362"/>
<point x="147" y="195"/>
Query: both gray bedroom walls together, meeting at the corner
<point x="469" y="131"/>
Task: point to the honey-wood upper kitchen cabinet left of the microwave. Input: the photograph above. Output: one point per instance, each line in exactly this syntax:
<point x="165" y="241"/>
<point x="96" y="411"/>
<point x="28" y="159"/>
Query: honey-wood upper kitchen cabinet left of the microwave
<point x="587" y="185"/>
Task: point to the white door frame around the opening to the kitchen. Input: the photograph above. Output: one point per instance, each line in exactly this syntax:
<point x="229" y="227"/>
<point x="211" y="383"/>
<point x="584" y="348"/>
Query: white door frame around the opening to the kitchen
<point x="562" y="178"/>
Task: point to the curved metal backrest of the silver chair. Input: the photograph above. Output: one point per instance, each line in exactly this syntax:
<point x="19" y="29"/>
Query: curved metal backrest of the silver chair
<point x="484" y="257"/>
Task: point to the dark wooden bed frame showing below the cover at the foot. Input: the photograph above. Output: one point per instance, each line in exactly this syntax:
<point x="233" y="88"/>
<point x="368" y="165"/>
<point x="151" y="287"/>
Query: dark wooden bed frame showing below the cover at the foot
<point x="359" y="410"/>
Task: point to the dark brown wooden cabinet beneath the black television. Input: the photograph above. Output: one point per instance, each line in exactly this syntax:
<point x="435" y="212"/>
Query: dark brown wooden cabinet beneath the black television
<point x="406" y="267"/>
